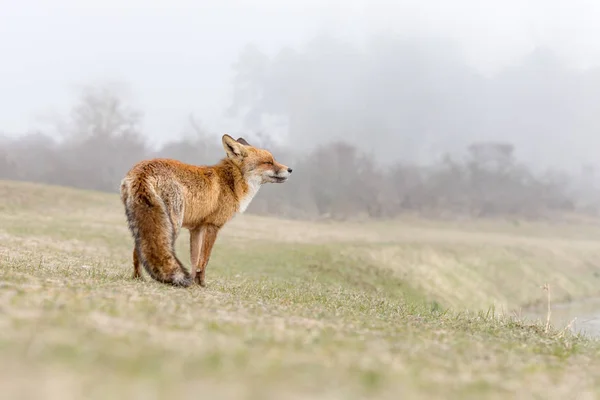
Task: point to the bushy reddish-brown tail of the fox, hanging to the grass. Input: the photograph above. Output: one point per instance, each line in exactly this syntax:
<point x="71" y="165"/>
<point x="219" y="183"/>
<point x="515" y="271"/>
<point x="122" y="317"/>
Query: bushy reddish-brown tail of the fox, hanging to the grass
<point x="154" y="232"/>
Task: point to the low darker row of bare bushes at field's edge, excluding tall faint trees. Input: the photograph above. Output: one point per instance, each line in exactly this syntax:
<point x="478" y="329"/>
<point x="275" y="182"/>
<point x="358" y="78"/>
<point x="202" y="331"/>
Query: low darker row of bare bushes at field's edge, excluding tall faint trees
<point x="334" y="180"/>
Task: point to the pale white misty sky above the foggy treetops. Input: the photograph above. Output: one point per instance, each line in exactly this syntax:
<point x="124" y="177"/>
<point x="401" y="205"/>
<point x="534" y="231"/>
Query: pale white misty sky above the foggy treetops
<point x="176" y="55"/>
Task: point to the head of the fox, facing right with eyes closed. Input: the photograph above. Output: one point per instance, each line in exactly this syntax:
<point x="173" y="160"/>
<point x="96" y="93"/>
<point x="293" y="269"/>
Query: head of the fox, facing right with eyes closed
<point x="254" y="162"/>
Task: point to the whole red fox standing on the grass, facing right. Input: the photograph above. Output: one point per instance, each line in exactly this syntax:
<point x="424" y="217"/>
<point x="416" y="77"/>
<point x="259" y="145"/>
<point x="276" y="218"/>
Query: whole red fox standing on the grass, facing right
<point x="161" y="196"/>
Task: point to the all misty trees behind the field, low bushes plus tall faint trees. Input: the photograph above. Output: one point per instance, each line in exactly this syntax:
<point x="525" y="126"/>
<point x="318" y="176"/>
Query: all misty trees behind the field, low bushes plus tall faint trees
<point x="396" y="126"/>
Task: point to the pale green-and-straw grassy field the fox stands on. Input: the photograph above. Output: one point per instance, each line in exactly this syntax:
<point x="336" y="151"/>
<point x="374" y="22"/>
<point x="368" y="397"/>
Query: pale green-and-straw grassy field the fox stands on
<point x="402" y="309"/>
